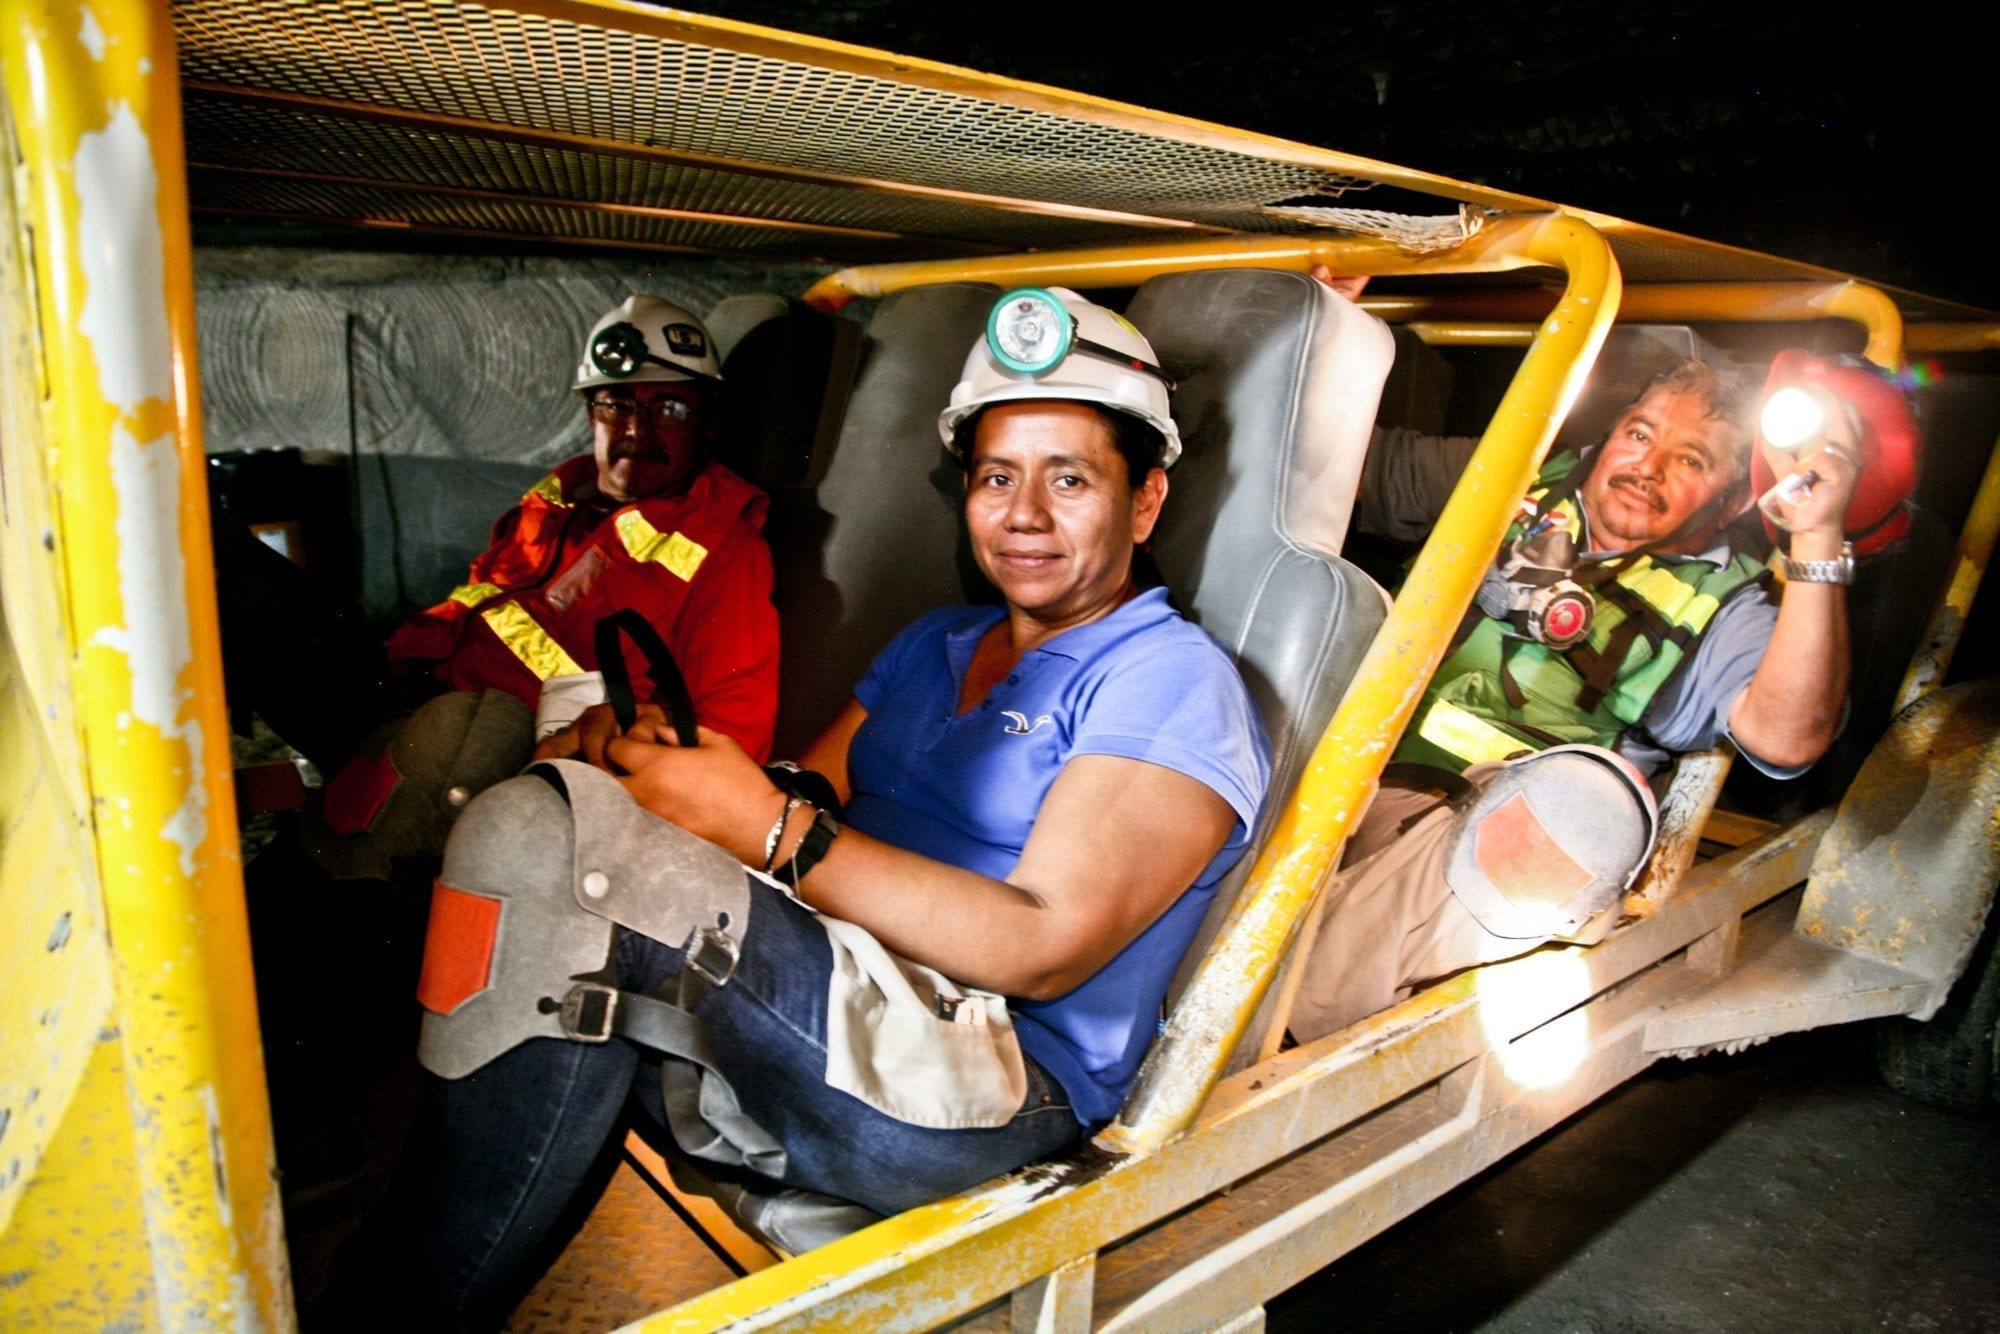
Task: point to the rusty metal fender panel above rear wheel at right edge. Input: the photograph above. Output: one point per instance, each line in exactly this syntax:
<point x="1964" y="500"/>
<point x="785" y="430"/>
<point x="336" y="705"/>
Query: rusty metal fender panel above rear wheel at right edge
<point x="1907" y="875"/>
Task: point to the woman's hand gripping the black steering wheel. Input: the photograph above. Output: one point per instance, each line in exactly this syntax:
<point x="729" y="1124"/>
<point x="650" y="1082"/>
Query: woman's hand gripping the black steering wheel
<point x="711" y="789"/>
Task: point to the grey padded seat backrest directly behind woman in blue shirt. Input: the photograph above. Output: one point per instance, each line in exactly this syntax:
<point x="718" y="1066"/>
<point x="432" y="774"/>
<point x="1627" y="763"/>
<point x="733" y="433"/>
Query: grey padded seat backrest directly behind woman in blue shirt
<point x="1279" y="391"/>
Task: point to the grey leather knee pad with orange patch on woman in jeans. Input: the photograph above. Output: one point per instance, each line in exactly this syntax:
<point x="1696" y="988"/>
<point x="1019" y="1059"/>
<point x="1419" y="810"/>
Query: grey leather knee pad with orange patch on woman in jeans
<point x="537" y="875"/>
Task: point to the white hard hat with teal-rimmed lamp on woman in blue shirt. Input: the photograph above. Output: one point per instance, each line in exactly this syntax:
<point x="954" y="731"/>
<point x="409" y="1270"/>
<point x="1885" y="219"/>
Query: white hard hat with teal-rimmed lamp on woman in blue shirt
<point x="1051" y="343"/>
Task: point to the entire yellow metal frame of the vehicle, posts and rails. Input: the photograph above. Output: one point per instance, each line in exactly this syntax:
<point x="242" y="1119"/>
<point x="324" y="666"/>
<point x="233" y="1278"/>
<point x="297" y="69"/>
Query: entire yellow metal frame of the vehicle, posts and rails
<point x="177" y="1067"/>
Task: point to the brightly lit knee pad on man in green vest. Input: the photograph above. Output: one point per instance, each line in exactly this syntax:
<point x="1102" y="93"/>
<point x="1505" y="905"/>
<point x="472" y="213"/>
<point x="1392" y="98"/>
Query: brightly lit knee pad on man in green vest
<point x="1549" y="845"/>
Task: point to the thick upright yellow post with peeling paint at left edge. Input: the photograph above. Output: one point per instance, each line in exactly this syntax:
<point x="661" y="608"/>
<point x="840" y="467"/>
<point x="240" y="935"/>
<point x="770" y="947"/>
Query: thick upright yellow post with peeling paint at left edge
<point x="97" y="111"/>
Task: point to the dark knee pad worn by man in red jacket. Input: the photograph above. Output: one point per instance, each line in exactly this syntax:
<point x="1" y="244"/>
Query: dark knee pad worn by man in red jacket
<point x="403" y="799"/>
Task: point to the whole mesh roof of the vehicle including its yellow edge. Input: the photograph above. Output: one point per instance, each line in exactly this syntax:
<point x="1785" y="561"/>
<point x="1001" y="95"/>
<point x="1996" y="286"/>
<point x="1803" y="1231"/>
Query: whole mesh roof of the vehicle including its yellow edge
<point x="567" y="121"/>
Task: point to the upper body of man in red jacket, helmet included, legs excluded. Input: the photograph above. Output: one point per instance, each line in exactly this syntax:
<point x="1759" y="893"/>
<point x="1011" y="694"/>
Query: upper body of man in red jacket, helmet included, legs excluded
<point x="643" y="523"/>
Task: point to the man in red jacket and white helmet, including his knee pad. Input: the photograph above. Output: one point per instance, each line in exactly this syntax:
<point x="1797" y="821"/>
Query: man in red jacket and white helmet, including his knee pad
<point x="643" y="523"/>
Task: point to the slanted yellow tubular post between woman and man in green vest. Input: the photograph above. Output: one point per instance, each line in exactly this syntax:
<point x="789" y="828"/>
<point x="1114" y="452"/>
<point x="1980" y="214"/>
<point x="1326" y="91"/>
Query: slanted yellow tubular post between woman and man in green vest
<point x="1343" y="773"/>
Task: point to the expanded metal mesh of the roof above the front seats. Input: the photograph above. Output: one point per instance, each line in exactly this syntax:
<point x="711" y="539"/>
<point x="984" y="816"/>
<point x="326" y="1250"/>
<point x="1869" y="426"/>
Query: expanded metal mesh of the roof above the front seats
<point x="625" y="93"/>
